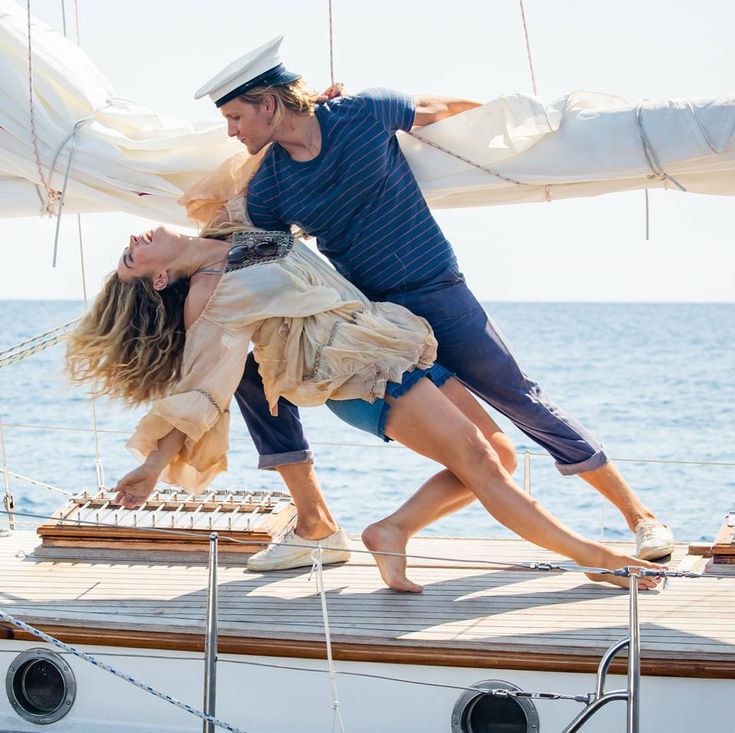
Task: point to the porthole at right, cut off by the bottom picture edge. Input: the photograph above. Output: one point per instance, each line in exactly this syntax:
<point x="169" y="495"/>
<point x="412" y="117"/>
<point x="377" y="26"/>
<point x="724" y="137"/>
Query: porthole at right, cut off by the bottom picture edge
<point x="478" y="712"/>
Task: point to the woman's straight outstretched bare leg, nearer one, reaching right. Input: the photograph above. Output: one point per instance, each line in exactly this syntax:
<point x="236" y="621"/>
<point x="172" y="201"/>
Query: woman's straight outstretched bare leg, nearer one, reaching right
<point x="426" y="421"/>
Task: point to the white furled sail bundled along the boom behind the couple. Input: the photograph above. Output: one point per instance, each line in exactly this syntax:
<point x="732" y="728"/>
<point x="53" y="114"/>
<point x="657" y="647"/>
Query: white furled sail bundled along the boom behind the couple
<point x="120" y="156"/>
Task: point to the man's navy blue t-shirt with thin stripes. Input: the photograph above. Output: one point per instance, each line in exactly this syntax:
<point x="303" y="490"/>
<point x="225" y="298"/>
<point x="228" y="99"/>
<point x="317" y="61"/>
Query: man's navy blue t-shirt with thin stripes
<point x="358" y="197"/>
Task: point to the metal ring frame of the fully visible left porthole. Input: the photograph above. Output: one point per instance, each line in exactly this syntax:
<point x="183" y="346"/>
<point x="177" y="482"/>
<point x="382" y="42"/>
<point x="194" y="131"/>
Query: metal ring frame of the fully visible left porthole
<point x="14" y="683"/>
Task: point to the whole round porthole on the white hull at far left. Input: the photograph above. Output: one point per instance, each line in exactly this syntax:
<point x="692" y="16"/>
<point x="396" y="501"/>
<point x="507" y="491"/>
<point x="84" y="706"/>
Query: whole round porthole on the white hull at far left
<point x="40" y="686"/>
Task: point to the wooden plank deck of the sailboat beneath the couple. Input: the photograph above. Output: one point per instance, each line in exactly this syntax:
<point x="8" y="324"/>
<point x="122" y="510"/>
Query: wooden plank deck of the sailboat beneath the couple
<point x="469" y="614"/>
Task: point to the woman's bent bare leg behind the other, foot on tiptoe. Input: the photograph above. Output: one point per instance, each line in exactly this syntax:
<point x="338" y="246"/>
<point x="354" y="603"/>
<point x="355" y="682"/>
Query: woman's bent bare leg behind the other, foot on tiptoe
<point x="441" y="495"/>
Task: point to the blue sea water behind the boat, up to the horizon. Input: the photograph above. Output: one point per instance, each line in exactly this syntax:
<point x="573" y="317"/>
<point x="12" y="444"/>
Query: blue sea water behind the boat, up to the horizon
<point x="653" y="381"/>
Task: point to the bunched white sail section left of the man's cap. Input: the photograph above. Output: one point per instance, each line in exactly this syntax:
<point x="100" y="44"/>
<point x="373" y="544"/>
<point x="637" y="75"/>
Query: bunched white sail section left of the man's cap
<point x="125" y="157"/>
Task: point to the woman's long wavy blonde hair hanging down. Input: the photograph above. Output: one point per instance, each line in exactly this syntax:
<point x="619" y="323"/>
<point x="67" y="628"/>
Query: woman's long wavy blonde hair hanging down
<point x="130" y="344"/>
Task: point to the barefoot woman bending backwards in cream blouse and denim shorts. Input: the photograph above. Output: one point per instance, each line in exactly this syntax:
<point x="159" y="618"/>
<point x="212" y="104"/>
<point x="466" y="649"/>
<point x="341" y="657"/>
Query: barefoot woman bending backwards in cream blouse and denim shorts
<point x="175" y="323"/>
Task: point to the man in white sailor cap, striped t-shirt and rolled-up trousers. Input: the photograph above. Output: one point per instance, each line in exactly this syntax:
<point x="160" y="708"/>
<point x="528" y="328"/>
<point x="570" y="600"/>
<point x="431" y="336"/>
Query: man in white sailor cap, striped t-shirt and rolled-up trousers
<point x="335" y="169"/>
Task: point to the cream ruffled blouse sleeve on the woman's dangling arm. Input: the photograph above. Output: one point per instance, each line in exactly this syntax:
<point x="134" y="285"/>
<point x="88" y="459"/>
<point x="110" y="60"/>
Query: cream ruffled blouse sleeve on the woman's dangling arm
<point x="199" y="407"/>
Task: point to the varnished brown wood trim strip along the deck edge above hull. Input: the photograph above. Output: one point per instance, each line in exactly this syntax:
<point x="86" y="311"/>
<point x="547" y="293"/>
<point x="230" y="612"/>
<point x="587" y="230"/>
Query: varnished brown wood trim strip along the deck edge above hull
<point x="380" y="653"/>
